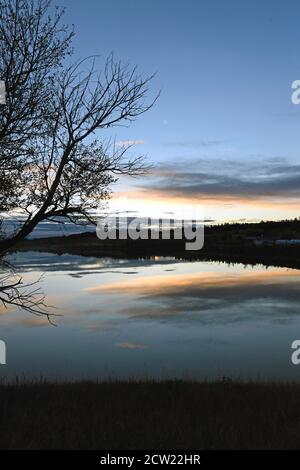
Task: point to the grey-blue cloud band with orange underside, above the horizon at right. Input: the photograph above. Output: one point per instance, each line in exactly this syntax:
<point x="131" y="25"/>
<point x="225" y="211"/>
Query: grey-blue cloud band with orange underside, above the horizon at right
<point x="205" y="177"/>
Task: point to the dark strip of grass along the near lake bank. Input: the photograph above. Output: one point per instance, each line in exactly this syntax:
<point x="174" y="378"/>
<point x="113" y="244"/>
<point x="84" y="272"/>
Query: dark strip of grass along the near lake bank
<point x="150" y="415"/>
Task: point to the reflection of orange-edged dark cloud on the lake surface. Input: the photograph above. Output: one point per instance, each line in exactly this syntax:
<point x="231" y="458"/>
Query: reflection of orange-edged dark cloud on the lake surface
<point x="211" y="297"/>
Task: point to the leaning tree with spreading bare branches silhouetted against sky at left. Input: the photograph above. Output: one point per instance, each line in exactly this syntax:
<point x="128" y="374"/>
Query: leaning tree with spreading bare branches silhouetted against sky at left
<point x="59" y="166"/>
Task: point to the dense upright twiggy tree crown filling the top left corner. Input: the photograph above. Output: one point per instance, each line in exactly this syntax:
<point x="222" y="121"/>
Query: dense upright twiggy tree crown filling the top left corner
<point x="32" y="47"/>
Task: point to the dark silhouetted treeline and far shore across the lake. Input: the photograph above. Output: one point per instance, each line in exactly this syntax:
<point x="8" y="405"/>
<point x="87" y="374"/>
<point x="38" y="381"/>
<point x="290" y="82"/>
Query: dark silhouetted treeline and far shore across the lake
<point x="230" y="243"/>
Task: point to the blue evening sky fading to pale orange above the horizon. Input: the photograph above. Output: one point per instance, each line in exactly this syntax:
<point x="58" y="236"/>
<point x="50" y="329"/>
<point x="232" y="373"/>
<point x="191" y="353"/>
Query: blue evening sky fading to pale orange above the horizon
<point x="224" y="132"/>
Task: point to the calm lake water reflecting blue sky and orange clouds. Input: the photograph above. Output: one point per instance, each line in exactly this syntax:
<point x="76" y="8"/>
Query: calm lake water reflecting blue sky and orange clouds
<point x="154" y="318"/>
